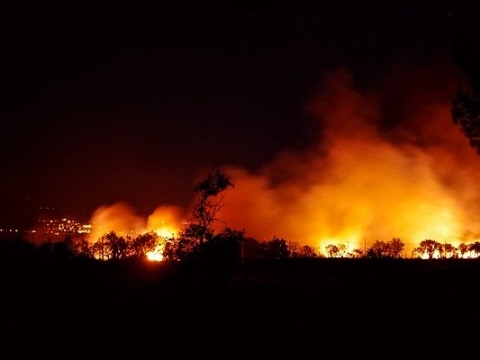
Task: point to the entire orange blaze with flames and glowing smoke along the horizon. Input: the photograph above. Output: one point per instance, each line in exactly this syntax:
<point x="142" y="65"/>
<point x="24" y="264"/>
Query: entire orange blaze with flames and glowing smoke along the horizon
<point x="389" y="174"/>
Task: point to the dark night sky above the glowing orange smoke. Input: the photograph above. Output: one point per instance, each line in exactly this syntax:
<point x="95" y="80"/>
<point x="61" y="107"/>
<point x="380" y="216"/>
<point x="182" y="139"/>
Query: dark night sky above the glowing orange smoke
<point x="128" y="102"/>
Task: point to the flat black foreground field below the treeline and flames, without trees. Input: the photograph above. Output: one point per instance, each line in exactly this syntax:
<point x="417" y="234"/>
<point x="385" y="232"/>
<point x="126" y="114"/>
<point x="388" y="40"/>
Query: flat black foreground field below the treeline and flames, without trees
<point x="306" y="307"/>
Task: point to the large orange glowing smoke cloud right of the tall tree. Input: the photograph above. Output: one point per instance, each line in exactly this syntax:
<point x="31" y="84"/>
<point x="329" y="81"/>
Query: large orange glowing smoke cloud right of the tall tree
<point x="369" y="177"/>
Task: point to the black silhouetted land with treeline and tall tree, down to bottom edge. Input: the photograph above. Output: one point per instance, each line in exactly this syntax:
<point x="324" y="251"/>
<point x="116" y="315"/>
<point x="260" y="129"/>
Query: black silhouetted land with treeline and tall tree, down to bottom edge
<point x="226" y="295"/>
